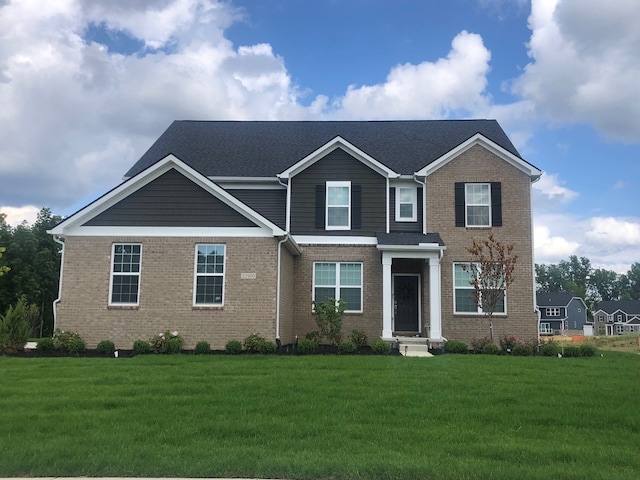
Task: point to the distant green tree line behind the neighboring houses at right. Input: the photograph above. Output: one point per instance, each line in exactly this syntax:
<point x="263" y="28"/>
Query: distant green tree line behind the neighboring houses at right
<point x="594" y="285"/>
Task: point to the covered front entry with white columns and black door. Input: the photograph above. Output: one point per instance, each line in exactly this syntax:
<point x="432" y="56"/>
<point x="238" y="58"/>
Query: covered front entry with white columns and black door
<point x="401" y="290"/>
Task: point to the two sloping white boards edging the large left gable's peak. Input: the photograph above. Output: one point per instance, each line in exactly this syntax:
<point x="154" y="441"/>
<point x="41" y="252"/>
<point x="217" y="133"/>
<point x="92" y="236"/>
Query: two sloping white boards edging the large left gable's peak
<point x="147" y="176"/>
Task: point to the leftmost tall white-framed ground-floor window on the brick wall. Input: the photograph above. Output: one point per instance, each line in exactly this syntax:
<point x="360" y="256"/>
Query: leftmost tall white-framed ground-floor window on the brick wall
<point x="124" y="287"/>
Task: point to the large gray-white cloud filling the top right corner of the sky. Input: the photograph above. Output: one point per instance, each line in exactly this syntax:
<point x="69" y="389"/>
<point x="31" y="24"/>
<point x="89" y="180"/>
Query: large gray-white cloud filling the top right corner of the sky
<point x="584" y="66"/>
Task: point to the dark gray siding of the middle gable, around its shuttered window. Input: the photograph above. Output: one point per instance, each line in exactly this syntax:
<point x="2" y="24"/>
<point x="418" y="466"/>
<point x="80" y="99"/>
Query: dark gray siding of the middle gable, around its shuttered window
<point x="338" y="166"/>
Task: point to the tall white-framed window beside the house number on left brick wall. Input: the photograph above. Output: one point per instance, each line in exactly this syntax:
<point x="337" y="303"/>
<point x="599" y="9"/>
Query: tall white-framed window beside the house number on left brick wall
<point x="208" y="288"/>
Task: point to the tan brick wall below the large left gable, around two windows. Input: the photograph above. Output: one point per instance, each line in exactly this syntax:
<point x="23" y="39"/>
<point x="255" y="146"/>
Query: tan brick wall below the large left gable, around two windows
<point x="166" y="292"/>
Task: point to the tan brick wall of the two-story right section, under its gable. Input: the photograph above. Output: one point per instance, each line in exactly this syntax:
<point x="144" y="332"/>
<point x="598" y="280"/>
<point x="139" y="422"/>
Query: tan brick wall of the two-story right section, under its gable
<point x="479" y="165"/>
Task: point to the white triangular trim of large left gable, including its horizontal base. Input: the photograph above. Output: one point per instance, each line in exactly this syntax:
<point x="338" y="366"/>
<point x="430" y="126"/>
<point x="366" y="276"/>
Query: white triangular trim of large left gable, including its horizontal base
<point x="73" y="225"/>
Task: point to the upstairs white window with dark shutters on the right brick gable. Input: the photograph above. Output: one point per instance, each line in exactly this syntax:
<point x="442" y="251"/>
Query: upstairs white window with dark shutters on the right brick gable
<point x="478" y="205"/>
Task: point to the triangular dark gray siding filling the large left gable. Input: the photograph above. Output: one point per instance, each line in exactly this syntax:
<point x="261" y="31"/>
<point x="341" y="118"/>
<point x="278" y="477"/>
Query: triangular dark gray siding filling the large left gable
<point x="171" y="200"/>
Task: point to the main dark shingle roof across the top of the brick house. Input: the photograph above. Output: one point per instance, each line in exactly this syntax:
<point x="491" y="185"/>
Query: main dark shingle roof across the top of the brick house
<point x="264" y="149"/>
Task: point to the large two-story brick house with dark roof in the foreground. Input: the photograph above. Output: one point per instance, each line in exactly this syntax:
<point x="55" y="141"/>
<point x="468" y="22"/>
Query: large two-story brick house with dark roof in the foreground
<point x="223" y="229"/>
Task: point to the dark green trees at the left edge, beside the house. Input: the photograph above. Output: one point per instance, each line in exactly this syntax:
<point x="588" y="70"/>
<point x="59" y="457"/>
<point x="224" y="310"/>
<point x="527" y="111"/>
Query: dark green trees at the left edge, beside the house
<point x="32" y="268"/>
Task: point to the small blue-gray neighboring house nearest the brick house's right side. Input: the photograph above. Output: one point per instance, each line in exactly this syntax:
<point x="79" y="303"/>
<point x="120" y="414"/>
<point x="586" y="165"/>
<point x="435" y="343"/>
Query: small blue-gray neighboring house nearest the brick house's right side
<point x="561" y="312"/>
